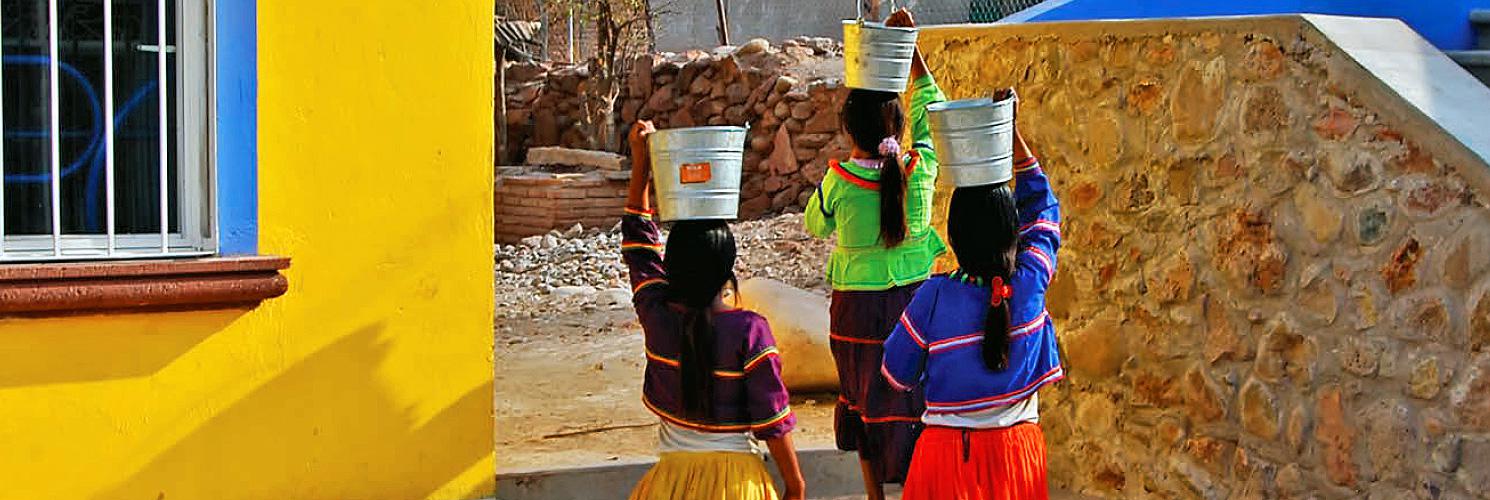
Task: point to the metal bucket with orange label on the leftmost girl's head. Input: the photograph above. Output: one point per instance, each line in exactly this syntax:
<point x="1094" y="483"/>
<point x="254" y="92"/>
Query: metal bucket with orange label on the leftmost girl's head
<point x="698" y="172"/>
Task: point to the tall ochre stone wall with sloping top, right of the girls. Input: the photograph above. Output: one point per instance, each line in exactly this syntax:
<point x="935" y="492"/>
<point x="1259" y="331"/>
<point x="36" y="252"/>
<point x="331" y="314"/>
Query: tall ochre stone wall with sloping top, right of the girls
<point x="1269" y="286"/>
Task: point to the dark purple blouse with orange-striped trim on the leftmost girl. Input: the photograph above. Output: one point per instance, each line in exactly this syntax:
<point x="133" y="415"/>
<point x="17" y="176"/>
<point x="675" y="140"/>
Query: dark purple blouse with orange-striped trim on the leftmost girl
<point x="749" y="394"/>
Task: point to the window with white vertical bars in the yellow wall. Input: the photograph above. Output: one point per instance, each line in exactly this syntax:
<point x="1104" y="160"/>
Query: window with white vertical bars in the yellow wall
<point x="99" y="158"/>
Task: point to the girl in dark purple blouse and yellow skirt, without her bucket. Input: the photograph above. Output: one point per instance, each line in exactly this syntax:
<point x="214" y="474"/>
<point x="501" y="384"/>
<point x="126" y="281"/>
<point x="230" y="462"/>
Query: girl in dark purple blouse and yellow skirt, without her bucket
<point x="713" y="371"/>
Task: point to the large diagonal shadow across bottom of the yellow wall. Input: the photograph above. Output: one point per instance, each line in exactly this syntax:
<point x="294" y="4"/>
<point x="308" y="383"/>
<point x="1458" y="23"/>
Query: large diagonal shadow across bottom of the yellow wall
<point x="284" y="414"/>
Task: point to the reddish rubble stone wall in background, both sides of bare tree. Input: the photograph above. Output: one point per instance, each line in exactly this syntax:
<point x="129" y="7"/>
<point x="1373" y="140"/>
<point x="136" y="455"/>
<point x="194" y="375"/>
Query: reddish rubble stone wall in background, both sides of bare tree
<point x="789" y="94"/>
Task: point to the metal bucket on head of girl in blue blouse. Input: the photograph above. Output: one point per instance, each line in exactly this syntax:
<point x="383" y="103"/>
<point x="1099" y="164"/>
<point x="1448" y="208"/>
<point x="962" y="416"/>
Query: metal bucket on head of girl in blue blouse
<point x="974" y="141"/>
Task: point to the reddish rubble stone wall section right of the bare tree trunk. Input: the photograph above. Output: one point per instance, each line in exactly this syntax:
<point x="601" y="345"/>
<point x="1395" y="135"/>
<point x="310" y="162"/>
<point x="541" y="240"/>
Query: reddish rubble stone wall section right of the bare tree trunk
<point x="793" y="121"/>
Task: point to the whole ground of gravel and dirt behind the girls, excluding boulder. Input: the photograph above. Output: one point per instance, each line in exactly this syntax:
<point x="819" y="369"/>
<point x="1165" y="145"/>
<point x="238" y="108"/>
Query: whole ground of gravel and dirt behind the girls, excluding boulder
<point x="570" y="361"/>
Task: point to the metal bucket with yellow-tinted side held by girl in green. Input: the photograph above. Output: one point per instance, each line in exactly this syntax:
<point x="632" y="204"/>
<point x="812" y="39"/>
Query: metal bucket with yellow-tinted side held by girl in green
<point x="877" y="57"/>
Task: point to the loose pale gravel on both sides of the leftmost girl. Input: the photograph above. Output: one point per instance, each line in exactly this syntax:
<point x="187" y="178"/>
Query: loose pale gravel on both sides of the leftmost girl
<point x="580" y="269"/>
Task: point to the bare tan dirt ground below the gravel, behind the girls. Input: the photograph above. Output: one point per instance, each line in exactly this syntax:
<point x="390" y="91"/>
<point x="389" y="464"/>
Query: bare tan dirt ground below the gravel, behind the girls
<point x="571" y="395"/>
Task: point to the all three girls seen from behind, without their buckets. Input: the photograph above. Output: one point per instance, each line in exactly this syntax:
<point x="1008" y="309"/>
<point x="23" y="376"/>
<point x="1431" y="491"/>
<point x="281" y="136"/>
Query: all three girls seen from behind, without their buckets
<point x="938" y="374"/>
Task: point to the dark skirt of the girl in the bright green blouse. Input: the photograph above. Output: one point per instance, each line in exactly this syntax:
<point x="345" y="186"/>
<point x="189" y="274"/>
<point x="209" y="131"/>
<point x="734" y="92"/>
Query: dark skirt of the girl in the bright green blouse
<point x="872" y="417"/>
